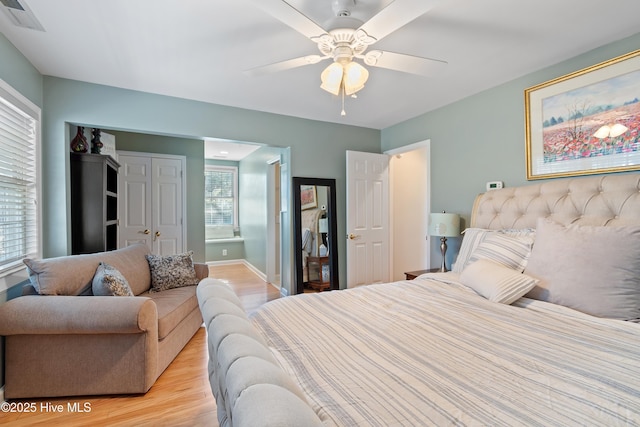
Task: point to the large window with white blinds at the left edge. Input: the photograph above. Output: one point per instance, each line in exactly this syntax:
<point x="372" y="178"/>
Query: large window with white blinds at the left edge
<point x="19" y="146"/>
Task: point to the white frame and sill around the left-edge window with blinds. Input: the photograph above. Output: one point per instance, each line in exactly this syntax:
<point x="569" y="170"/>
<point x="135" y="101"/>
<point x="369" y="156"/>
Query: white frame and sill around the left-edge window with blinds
<point x="14" y="272"/>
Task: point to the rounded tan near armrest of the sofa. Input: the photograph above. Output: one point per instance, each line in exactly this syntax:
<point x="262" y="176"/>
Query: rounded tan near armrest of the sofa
<point x="40" y="314"/>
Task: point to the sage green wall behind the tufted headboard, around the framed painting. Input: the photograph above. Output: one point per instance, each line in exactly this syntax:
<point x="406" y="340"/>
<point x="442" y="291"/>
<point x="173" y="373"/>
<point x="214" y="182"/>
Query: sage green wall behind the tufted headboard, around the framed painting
<point x="481" y="138"/>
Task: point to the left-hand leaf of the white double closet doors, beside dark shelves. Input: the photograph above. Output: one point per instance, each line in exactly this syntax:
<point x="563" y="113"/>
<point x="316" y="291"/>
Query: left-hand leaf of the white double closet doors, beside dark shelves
<point x="134" y="190"/>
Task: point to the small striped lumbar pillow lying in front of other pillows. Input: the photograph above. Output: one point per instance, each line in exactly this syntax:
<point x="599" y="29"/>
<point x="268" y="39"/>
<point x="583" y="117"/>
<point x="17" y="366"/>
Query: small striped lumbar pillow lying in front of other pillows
<point x="496" y="282"/>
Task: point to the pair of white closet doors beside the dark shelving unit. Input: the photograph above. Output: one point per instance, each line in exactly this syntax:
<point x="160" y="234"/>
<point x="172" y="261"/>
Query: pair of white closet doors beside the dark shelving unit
<point x="151" y="210"/>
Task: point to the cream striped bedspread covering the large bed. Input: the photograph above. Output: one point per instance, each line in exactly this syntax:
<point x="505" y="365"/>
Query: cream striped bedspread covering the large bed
<point x="428" y="352"/>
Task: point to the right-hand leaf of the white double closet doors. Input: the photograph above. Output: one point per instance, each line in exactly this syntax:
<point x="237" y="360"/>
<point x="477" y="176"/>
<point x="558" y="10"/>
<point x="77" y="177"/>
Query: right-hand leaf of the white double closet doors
<point x="167" y="206"/>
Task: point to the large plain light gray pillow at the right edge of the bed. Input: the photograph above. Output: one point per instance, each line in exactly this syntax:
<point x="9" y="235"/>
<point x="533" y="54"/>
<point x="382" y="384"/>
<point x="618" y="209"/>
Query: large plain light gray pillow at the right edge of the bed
<point x="593" y="269"/>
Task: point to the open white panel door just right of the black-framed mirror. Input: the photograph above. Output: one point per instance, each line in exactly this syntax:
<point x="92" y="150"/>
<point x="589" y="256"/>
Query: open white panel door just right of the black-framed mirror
<point x="368" y="228"/>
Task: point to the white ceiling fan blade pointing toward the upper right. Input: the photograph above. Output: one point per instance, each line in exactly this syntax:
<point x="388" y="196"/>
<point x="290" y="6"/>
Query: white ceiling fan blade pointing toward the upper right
<point x="396" y="15"/>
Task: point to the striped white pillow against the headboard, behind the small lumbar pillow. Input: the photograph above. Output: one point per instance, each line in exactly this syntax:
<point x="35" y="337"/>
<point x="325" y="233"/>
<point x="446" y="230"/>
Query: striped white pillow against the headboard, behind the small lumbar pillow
<point x="512" y="252"/>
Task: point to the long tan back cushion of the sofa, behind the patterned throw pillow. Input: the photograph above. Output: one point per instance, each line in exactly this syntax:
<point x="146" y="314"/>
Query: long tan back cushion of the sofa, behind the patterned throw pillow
<point x="73" y="275"/>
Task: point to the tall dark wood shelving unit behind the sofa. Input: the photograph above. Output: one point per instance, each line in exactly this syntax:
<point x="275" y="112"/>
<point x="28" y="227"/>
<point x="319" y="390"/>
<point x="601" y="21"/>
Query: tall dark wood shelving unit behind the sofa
<point x="94" y="203"/>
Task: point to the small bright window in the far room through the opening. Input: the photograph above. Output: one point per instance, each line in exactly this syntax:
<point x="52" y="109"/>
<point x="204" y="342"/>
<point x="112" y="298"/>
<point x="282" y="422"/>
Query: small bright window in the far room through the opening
<point x="220" y="196"/>
